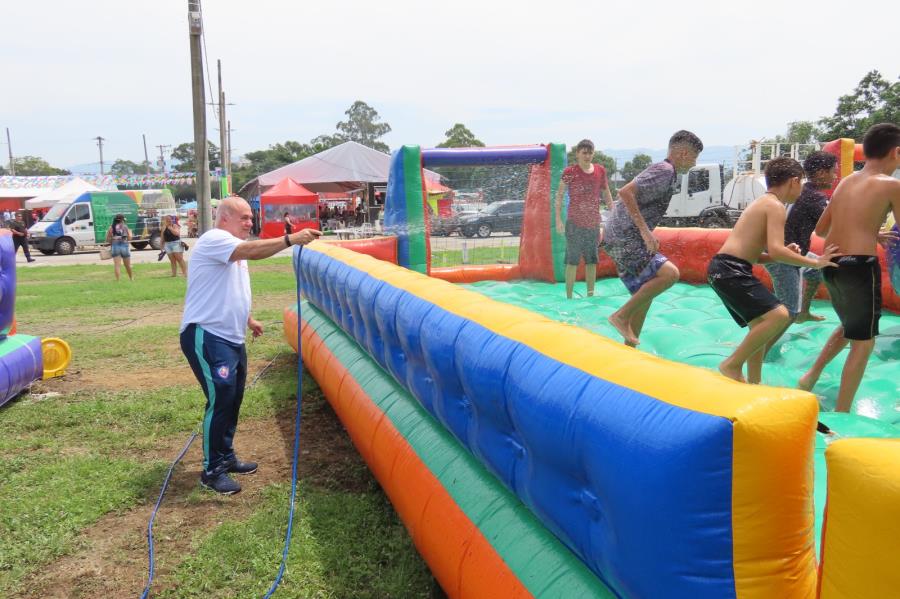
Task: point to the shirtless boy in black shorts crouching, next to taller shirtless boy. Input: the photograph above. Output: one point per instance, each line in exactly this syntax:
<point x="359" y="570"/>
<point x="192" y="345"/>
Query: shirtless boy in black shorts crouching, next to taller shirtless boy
<point x="758" y="236"/>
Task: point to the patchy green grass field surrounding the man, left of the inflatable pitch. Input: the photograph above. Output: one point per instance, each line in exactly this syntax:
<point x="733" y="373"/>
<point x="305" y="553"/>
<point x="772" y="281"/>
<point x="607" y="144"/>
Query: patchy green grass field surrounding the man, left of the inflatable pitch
<point x="70" y="460"/>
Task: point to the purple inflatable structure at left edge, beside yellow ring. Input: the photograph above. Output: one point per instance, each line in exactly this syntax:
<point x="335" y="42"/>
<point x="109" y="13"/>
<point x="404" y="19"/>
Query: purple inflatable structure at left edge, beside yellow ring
<point x="21" y="360"/>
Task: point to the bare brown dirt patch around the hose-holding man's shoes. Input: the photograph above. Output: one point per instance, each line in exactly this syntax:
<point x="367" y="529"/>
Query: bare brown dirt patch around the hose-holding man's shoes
<point x="112" y="556"/>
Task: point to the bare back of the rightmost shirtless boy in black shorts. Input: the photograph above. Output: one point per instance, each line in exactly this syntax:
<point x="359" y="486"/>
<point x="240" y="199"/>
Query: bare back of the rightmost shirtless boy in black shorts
<point x="858" y="209"/>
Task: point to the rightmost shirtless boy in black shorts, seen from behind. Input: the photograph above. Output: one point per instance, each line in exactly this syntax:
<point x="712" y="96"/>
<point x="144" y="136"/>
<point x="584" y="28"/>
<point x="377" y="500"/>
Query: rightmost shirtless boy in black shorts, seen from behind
<point x="852" y="221"/>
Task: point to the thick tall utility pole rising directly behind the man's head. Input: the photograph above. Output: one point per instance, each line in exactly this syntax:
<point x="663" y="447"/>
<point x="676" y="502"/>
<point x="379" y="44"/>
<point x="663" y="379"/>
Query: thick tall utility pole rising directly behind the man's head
<point x="201" y="151"/>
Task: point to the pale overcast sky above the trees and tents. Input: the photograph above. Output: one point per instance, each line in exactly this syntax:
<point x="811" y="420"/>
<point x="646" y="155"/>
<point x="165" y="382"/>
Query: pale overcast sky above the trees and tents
<point x="626" y="74"/>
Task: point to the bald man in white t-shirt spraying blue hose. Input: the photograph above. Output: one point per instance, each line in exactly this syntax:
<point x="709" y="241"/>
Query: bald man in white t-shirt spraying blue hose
<point x="216" y="317"/>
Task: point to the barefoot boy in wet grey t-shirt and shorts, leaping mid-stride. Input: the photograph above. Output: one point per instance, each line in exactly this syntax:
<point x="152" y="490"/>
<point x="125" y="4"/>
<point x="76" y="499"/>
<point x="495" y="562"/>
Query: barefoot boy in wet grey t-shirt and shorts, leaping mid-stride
<point x="628" y="238"/>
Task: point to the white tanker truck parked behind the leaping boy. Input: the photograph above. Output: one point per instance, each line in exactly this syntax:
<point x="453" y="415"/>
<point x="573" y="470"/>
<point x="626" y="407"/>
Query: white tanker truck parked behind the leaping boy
<point x="704" y="199"/>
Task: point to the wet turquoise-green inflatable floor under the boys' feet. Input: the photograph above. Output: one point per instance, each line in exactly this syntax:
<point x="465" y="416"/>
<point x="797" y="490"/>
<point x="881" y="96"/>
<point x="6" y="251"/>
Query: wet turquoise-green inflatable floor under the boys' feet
<point x="689" y="324"/>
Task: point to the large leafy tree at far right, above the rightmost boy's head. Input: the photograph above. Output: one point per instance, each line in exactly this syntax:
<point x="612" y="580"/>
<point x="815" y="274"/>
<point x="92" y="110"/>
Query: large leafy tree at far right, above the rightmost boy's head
<point x="875" y="100"/>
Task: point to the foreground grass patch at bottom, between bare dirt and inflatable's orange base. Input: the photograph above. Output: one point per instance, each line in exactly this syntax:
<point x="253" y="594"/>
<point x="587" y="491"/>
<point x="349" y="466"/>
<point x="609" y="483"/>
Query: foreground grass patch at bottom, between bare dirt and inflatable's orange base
<point x="335" y="537"/>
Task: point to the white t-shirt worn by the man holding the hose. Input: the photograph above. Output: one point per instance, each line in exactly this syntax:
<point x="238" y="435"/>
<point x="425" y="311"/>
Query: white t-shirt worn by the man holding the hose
<point x="218" y="291"/>
